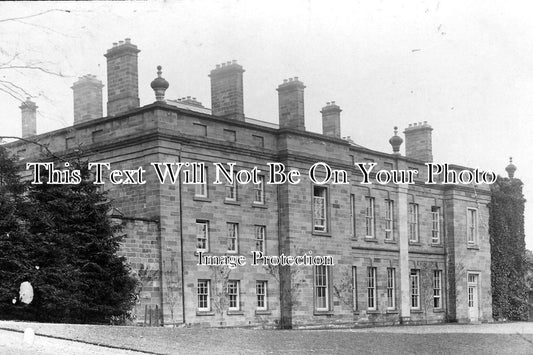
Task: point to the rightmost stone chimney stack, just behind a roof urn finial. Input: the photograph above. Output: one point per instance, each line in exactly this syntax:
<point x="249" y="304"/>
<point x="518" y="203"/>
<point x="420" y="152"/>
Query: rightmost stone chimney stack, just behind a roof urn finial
<point x="418" y="142"/>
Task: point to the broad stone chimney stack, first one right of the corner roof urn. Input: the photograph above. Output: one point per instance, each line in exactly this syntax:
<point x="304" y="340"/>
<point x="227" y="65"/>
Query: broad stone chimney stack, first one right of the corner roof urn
<point x="227" y="90"/>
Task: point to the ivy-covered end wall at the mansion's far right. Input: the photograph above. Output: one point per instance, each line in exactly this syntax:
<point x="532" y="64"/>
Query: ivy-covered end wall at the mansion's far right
<point x="508" y="252"/>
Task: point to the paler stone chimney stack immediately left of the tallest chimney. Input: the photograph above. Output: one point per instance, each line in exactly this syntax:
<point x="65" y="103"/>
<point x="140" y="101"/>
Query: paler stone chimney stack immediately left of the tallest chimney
<point x="87" y="92"/>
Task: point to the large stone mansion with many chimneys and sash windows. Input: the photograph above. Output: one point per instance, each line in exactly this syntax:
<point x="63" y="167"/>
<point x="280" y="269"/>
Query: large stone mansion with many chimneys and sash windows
<point x="402" y="253"/>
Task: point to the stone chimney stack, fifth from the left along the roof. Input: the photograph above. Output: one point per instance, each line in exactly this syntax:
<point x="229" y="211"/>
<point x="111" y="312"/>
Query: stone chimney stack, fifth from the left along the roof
<point x="291" y="104"/>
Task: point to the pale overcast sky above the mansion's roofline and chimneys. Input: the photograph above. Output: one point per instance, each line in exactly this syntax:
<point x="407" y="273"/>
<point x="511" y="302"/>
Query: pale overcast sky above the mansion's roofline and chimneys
<point x="465" y="67"/>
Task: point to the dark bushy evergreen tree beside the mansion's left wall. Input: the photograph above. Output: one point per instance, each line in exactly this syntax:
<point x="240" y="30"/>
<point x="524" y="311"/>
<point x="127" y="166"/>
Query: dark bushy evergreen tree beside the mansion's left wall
<point x="61" y="240"/>
